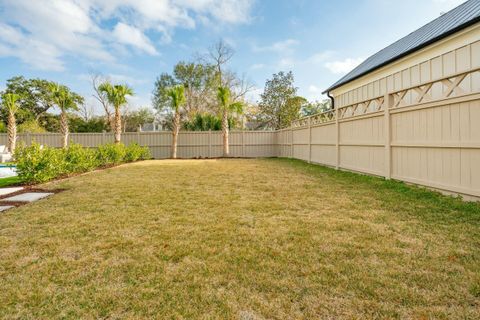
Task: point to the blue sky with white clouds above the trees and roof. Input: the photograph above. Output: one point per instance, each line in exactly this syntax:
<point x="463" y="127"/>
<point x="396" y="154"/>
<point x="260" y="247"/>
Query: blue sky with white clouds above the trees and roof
<point x="133" y="41"/>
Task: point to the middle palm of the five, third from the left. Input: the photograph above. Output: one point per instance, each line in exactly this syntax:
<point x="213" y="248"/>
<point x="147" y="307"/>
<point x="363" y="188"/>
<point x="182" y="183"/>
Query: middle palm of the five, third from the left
<point x="117" y="97"/>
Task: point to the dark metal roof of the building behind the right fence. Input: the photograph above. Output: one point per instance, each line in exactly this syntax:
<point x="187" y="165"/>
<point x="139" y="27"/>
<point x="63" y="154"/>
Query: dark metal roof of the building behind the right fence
<point x="453" y="21"/>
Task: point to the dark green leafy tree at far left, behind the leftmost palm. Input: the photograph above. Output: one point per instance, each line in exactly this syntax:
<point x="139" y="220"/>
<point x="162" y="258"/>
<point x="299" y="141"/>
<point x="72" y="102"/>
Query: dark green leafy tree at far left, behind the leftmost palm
<point x="34" y="96"/>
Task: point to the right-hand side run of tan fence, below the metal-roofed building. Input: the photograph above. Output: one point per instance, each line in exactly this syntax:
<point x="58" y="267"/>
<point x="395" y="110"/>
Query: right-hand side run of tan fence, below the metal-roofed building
<point x="427" y="134"/>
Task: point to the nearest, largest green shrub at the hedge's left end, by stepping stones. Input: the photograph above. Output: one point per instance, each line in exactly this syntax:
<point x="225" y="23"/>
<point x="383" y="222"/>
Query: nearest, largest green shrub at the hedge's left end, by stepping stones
<point x="36" y="164"/>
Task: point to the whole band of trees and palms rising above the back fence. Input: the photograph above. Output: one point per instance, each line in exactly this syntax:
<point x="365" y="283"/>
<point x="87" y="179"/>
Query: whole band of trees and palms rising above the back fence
<point x="204" y="94"/>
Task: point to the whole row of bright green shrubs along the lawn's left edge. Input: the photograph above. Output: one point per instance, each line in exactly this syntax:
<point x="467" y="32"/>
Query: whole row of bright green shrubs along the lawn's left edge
<point x="37" y="164"/>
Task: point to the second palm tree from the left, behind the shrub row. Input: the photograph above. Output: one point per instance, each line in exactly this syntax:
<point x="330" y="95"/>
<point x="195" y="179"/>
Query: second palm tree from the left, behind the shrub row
<point x="65" y="100"/>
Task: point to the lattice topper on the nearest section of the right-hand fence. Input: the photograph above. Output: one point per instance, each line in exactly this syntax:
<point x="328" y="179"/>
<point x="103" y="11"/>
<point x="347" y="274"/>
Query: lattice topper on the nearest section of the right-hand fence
<point x="448" y="87"/>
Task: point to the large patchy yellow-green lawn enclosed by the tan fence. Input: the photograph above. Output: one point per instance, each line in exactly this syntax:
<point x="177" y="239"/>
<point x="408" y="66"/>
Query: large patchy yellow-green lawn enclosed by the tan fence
<point x="241" y="239"/>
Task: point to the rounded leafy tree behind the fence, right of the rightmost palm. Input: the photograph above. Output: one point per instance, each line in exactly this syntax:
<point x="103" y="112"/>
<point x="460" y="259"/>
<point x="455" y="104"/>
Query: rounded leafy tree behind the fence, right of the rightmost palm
<point x="279" y="104"/>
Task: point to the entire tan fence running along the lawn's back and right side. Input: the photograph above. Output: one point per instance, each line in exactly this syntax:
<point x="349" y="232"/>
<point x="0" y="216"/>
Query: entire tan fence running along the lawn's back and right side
<point x="428" y="134"/>
